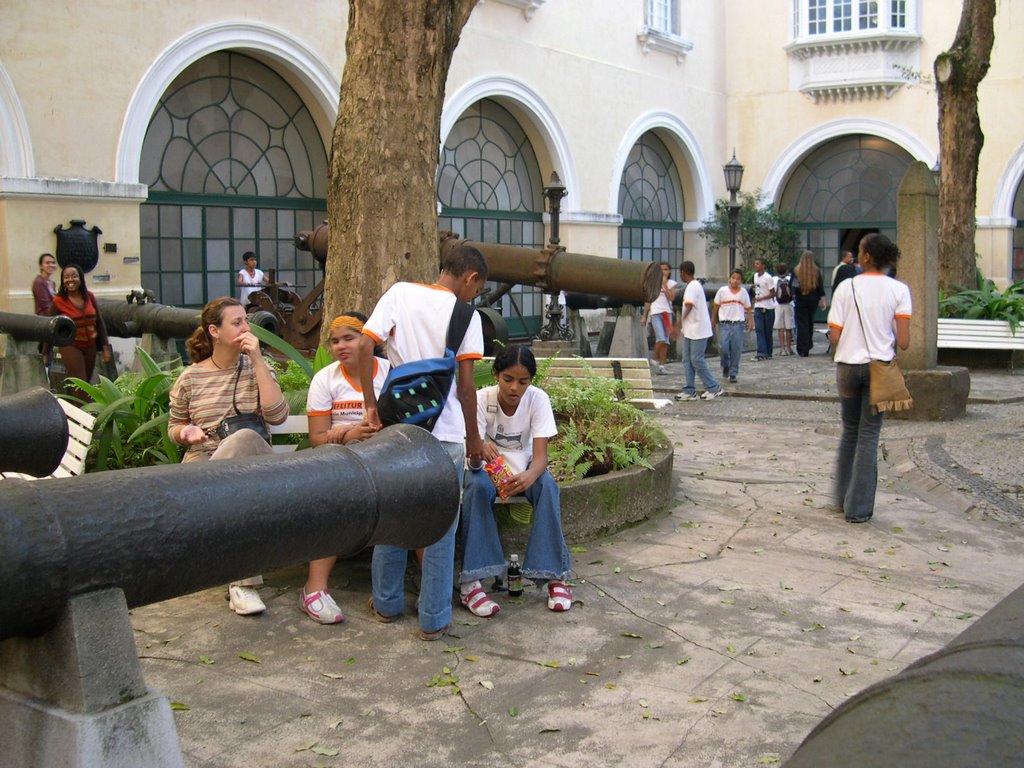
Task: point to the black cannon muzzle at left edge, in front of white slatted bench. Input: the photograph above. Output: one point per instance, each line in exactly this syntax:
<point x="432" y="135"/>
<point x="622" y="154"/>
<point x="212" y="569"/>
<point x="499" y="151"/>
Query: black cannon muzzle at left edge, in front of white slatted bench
<point x="33" y="434"/>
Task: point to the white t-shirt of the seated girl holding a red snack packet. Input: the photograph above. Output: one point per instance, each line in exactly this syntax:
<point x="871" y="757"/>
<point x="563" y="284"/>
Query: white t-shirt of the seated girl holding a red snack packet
<point x="515" y="435"/>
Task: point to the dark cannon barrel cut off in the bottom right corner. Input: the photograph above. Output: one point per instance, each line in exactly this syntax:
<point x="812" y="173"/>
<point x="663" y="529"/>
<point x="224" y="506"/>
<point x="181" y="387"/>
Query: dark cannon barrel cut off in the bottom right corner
<point x="959" y="707"/>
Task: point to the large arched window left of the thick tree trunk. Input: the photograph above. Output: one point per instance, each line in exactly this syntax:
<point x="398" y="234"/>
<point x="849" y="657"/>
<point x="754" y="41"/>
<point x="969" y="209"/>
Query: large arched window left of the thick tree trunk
<point x="235" y="163"/>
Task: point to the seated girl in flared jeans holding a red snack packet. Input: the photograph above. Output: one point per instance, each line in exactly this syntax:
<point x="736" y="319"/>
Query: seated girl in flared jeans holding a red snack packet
<point x="517" y="422"/>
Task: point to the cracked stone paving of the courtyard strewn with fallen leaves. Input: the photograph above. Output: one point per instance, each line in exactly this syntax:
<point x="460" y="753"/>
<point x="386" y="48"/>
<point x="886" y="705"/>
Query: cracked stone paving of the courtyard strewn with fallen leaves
<point x="717" y="634"/>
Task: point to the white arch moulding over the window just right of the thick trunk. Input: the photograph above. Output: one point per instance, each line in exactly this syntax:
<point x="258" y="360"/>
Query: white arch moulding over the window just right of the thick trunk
<point x="558" y="146"/>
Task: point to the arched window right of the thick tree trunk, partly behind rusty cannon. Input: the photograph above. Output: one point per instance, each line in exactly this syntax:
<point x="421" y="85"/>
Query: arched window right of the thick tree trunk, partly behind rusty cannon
<point x="490" y="189"/>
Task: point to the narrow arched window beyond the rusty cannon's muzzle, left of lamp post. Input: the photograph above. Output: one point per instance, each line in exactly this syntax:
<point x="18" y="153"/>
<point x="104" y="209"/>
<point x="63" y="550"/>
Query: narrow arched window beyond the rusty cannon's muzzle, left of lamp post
<point x="651" y="202"/>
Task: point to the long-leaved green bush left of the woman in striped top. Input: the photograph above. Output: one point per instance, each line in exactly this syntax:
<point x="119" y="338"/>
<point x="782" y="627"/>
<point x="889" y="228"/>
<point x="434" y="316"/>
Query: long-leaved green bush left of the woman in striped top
<point x="132" y="417"/>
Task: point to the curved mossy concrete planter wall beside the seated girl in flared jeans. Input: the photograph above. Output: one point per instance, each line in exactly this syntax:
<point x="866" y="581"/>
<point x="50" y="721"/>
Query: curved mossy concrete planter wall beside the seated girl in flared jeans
<point x="598" y="506"/>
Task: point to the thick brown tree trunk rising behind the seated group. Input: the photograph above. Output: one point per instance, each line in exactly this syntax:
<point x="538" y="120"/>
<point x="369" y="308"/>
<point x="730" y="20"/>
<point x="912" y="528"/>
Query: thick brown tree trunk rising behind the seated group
<point x="381" y="193"/>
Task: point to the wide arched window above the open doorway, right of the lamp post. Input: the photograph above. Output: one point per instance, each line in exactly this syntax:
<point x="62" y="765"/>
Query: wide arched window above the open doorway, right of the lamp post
<point x="842" y="191"/>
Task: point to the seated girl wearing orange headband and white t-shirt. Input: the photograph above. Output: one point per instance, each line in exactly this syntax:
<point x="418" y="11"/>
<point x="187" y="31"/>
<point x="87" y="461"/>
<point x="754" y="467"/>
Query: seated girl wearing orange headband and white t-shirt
<point x="334" y="408"/>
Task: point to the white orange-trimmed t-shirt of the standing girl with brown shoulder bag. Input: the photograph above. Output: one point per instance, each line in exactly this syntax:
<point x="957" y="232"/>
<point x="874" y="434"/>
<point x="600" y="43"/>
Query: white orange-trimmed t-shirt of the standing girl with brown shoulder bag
<point x="882" y="301"/>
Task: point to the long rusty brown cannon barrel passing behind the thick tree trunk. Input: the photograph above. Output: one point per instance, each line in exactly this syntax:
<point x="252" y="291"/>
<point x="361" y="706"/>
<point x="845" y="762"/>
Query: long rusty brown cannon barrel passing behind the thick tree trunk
<point x="551" y="270"/>
